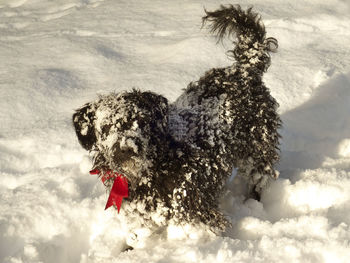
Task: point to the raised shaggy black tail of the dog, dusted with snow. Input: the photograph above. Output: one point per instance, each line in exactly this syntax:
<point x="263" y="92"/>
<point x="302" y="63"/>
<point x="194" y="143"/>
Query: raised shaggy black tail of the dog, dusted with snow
<point x="252" y="47"/>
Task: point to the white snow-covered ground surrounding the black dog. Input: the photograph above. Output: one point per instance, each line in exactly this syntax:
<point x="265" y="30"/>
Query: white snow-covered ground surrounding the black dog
<point x="57" y="55"/>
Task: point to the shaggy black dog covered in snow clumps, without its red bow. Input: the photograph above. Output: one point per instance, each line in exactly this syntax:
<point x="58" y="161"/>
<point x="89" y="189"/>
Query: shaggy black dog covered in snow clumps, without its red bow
<point x="177" y="157"/>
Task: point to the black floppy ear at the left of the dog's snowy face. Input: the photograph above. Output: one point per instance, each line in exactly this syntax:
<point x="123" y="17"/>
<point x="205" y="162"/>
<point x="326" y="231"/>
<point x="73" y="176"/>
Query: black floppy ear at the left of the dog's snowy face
<point x="83" y="120"/>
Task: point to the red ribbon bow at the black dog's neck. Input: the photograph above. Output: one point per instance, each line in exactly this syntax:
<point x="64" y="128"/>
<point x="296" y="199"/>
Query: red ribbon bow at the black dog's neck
<point x="119" y="189"/>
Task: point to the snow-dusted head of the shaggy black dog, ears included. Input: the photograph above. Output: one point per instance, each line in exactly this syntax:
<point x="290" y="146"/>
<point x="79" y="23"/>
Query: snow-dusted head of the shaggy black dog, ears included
<point x="123" y="130"/>
